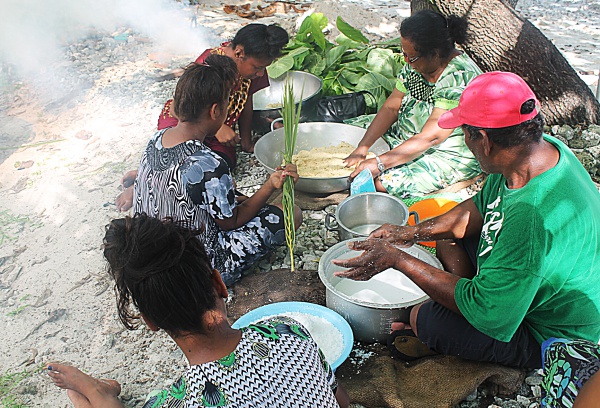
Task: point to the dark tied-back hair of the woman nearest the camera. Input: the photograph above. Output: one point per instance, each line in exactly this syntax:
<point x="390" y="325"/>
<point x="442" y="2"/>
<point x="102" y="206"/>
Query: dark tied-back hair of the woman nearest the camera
<point x="162" y="269"/>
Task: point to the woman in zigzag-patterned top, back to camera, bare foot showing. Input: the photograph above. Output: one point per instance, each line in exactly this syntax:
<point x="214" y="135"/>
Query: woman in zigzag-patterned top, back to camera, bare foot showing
<point x="162" y="270"/>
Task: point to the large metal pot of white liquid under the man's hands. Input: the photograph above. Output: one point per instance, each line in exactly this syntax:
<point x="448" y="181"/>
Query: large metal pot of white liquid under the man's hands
<point x="370" y="322"/>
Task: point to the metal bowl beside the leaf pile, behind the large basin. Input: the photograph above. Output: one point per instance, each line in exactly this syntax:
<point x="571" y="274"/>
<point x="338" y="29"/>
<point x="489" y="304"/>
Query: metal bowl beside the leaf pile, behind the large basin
<point x="267" y="101"/>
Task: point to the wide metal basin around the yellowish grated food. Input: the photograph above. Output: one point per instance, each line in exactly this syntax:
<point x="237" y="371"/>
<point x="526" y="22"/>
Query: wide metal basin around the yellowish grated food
<point x="269" y="151"/>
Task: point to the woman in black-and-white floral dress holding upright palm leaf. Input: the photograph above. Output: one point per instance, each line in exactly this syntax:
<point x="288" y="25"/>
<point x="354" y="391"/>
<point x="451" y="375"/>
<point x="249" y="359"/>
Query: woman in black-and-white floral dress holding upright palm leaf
<point x="180" y="177"/>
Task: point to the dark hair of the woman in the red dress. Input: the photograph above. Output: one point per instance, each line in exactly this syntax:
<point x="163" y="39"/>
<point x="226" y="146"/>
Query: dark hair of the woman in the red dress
<point x="261" y="41"/>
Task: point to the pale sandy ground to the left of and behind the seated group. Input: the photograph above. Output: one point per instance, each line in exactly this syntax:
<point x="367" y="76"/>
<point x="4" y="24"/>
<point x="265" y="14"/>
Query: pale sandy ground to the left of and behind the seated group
<point x="60" y="165"/>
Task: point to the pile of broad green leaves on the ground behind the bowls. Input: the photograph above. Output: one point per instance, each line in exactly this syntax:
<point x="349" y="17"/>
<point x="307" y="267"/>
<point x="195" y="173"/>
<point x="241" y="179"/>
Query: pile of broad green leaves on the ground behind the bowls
<point x="351" y="64"/>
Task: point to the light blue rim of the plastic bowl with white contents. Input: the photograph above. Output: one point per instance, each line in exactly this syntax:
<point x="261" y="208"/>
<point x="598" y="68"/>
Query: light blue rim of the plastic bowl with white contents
<point x="307" y="308"/>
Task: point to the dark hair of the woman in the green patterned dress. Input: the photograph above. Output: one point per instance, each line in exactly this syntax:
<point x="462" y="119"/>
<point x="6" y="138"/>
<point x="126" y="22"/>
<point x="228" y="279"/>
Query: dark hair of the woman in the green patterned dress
<point x="431" y="33"/>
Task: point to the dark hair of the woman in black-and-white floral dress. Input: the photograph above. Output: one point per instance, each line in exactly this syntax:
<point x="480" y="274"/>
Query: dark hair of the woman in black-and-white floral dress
<point x="203" y="85"/>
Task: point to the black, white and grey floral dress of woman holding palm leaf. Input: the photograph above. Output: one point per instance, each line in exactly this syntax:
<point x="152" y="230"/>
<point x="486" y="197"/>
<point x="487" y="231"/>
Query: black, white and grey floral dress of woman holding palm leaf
<point x="190" y="182"/>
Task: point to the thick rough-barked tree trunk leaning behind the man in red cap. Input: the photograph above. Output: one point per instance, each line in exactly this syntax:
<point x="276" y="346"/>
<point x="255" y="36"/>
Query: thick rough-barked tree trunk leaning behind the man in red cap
<point x="500" y="40"/>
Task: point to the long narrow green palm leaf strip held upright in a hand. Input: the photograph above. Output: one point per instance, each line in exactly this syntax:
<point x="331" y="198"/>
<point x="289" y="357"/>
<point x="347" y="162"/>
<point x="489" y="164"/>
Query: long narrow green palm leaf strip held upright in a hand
<point x="291" y="116"/>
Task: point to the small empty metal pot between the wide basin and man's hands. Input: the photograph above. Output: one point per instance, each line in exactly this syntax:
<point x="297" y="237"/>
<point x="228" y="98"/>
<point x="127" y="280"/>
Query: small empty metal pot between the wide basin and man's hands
<point x="360" y="214"/>
